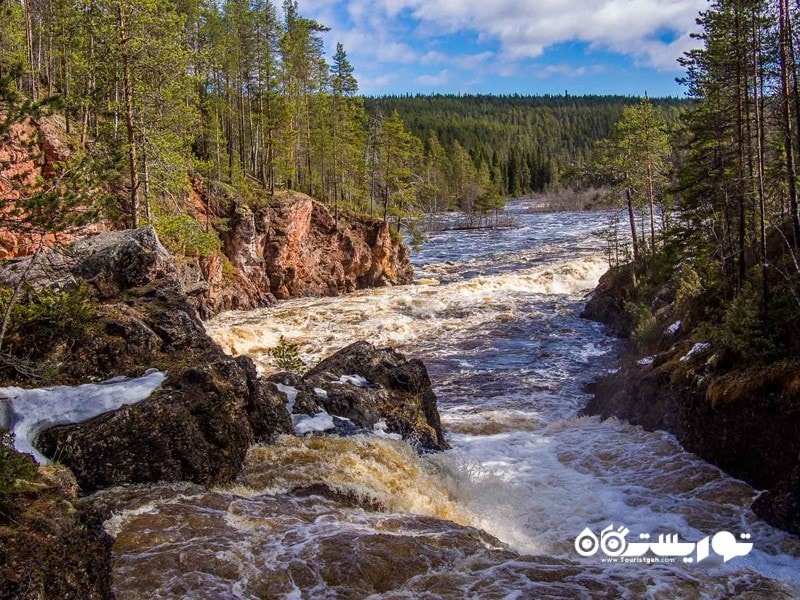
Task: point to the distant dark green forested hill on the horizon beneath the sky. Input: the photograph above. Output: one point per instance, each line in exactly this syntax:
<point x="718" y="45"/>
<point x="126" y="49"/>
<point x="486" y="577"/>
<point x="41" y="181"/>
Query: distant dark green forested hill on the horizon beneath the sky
<point x="524" y="143"/>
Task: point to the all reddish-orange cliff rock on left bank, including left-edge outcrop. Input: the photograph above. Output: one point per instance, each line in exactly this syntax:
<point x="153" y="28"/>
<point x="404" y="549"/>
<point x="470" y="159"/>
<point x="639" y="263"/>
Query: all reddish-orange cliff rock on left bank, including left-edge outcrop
<point x="285" y="246"/>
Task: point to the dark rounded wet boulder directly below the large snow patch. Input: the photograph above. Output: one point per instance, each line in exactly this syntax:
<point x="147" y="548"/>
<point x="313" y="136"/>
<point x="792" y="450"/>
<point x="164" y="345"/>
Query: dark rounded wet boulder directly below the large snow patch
<point x="195" y="428"/>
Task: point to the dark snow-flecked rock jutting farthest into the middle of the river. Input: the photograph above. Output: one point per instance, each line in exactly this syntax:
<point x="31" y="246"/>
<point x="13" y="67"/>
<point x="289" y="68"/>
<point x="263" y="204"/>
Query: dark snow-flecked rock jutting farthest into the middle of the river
<point x="397" y="391"/>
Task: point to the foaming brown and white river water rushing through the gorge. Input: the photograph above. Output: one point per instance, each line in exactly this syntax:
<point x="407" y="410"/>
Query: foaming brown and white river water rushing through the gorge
<point x="495" y="320"/>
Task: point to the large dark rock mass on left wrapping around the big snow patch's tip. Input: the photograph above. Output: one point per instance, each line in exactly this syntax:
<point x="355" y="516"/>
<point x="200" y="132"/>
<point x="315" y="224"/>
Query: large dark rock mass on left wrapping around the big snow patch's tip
<point x="199" y="425"/>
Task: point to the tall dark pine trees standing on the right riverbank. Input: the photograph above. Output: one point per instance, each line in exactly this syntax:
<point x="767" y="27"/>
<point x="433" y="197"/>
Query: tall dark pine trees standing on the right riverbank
<point x="716" y="203"/>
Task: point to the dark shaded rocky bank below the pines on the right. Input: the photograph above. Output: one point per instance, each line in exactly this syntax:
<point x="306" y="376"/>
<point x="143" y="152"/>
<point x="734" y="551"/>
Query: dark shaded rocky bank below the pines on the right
<point x="743" y="418"/>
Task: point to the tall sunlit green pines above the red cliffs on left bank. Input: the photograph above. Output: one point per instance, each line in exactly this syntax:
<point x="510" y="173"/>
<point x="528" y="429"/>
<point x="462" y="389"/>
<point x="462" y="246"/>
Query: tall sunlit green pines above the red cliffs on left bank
<point x="237" y="92"/>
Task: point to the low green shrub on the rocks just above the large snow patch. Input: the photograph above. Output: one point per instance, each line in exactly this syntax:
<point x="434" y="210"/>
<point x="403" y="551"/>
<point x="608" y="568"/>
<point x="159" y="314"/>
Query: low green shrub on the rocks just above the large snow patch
<point x="42" y="317"/>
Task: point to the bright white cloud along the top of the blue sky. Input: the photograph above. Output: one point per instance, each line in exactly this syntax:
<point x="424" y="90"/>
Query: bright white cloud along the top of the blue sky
<point x="525" y="29"/>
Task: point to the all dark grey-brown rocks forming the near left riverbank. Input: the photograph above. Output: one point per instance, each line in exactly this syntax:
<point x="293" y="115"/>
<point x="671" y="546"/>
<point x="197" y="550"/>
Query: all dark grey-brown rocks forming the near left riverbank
<point x="198" y="426"/>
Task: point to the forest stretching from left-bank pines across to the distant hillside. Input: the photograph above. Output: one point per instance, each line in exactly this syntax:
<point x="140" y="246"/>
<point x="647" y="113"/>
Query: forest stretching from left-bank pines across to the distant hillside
<point x="240" y="94"/>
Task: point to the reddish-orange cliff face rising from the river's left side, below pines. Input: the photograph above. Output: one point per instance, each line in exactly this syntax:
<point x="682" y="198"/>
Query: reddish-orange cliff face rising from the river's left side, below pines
<point x="292" y="246"/>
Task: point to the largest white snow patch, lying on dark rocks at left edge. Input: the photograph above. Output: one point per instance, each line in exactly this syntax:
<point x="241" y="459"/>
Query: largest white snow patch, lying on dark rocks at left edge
<point x="26" y="413"/>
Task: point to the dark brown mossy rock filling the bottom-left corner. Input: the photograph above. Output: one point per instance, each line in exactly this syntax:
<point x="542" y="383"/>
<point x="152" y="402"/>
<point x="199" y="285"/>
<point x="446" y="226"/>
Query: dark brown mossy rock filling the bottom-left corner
<point x="53" y="545"/>
